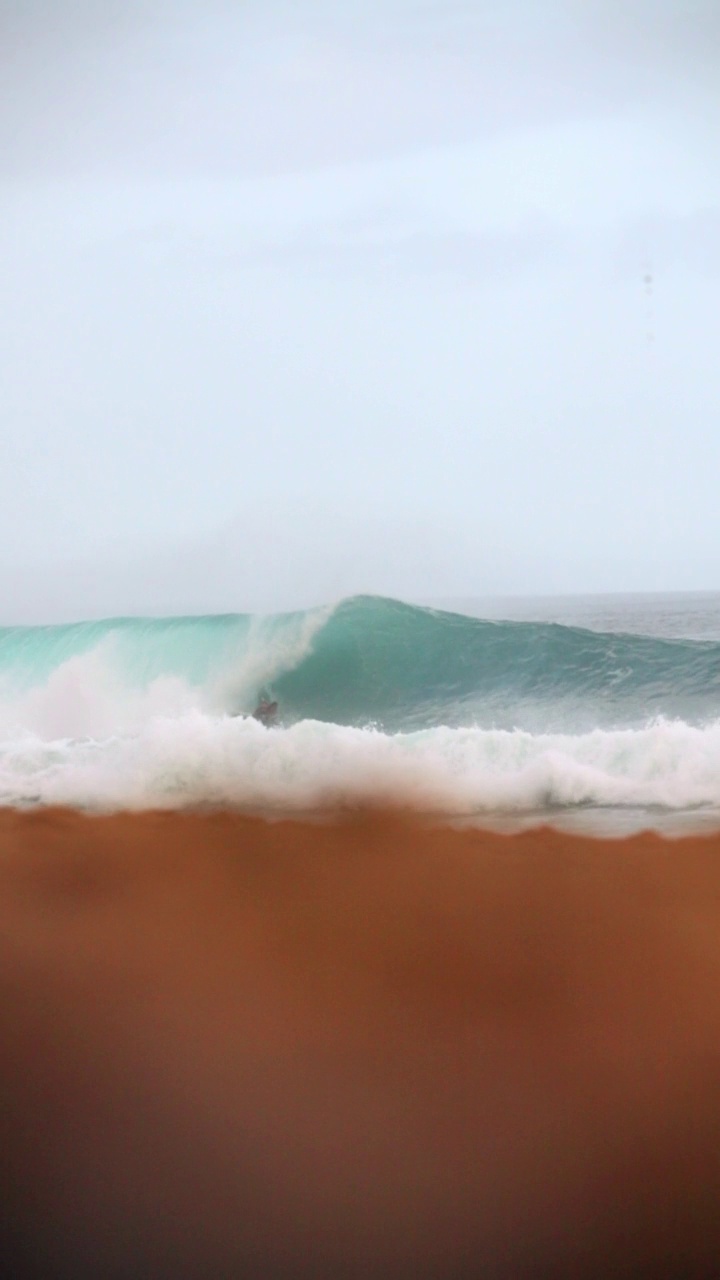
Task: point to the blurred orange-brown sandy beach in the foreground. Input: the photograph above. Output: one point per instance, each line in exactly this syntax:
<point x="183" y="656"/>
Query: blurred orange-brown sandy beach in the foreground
<point x="363" y="1048"/>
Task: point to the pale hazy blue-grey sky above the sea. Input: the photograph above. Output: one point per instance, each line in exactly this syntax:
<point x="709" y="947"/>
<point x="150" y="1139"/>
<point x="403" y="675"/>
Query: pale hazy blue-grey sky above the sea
<point x="327" y="296"/>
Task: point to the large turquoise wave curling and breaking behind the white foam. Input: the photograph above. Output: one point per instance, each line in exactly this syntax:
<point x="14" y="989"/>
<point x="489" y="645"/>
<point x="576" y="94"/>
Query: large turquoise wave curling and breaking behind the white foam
<point x="367" y="661"/>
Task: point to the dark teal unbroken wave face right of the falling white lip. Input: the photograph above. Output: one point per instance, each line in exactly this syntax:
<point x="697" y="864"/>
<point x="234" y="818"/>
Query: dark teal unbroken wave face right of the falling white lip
<point x="405" y="668"/>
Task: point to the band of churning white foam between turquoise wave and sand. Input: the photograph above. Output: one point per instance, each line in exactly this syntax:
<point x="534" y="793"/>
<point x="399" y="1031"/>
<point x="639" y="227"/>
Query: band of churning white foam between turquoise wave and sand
<point x="194" y="758"/>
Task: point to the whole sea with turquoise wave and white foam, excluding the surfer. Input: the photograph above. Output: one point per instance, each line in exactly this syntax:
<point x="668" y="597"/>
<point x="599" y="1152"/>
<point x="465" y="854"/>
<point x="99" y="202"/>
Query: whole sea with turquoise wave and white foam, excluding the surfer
<point x="587" y="712"/>
